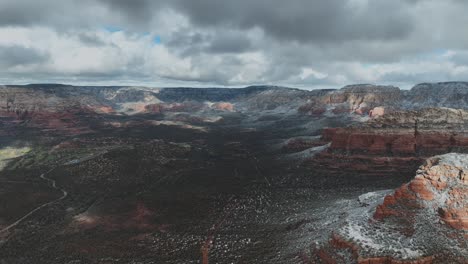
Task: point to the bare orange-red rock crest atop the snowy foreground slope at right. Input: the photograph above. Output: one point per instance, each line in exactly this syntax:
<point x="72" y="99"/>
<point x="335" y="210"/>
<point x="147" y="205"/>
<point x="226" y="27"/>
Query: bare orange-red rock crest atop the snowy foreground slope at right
<point x="440" y="187"/>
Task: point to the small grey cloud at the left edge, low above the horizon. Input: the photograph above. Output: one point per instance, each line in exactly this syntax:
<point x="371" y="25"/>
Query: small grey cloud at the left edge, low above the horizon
<point x="11" y="56"/>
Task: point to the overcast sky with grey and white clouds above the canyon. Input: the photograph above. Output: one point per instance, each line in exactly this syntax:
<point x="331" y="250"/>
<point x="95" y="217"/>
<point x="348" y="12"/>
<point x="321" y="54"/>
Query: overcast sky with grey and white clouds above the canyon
<point x="204" y="43"/>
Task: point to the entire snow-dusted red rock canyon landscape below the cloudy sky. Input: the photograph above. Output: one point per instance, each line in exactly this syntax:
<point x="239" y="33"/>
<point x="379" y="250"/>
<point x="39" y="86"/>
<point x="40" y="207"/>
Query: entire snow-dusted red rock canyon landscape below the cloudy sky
<point x="262" y="174"/>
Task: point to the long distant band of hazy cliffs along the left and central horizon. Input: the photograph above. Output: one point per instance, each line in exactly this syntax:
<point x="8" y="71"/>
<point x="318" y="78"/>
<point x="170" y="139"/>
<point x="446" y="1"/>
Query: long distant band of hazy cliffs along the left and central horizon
<point x="65" y="109"/>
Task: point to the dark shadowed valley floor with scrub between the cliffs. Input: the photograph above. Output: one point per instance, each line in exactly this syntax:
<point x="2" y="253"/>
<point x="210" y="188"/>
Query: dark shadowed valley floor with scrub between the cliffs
<point x="170" y="196"/>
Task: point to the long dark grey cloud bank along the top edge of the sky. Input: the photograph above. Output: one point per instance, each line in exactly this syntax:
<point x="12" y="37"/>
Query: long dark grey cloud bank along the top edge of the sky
<point x="318" y="21"/>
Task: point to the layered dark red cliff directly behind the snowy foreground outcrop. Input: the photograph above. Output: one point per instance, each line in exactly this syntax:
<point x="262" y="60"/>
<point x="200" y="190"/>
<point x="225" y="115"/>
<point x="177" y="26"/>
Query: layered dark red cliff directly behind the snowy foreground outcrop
<point x="396" y="142"/>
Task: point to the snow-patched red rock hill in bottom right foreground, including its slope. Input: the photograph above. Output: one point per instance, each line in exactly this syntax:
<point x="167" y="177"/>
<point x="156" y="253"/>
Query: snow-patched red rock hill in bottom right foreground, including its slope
<point x="423" y="221"/>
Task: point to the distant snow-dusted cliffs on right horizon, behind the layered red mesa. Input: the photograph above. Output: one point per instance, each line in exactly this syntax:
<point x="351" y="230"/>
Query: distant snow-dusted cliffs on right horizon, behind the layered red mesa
<point x="375" y="100"/>
